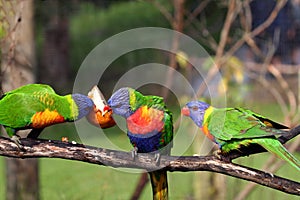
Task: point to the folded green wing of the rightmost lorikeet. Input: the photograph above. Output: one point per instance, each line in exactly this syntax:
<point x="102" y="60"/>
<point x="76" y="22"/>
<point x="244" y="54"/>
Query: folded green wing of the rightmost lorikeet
<point x="235" y="123"/>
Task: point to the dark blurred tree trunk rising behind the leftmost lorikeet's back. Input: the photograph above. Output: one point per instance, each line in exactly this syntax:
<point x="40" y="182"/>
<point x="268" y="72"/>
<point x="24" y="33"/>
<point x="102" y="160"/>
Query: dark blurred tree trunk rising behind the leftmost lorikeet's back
<point x="55" y="67"/>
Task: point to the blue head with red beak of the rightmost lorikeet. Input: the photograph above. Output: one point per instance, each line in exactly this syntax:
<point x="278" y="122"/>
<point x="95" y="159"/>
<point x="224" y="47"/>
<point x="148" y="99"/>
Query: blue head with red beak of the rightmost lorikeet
<point x="195" y="110"/>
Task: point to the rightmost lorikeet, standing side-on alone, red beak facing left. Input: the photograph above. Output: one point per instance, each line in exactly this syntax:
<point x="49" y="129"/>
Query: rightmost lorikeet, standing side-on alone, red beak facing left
<point x="232" y="128"/>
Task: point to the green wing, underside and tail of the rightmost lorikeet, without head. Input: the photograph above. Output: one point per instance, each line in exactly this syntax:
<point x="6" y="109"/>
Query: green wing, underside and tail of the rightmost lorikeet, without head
<point x="234" y="127"/>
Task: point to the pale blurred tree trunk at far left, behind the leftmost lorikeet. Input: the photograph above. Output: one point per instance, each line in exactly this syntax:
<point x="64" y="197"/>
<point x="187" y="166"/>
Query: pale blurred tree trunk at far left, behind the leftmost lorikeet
<point x="17" y="67"/>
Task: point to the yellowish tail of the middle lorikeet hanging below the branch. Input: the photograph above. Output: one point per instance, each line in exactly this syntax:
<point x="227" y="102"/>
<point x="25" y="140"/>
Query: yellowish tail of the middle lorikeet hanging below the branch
<point x="159" y="183"/>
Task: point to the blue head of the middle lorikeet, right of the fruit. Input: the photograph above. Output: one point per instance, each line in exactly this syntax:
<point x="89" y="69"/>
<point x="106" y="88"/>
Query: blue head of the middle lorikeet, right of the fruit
<point x="120" y="102"/>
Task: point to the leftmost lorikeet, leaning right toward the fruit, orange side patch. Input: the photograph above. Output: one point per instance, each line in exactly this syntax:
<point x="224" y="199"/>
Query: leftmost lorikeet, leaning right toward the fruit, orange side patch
<point x="36" y="106"/>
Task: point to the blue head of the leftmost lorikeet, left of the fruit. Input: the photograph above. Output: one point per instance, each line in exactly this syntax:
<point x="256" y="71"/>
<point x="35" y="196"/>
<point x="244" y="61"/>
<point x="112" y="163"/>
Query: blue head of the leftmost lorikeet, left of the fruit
<point x="84" y="104"/>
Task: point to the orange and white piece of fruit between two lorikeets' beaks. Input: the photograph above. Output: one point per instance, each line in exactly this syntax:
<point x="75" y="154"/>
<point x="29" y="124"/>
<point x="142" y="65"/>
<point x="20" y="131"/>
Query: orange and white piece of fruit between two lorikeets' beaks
<point x="102" y="113"/>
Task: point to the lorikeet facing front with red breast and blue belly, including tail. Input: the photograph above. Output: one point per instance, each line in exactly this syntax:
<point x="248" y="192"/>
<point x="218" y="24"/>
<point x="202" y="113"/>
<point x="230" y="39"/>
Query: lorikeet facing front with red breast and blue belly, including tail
<point x="150" y="129"/>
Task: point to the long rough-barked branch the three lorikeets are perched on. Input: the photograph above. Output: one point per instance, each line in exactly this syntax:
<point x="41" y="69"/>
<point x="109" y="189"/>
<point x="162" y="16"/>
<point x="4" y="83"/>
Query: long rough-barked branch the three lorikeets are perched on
<point x="56" y="149"/>
